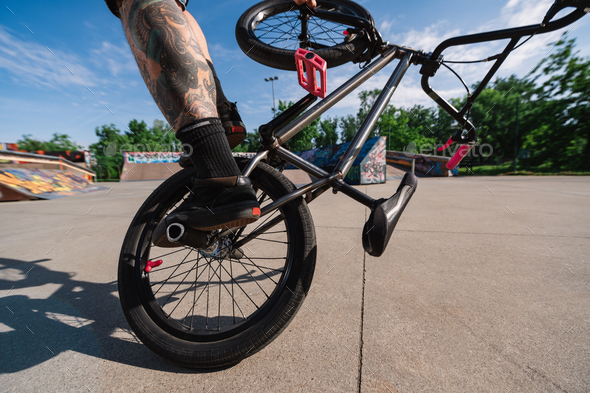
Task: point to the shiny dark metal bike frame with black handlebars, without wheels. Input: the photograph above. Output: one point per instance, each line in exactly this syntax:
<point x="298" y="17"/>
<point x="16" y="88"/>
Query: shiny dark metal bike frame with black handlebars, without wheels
<point x="289" y="125"/>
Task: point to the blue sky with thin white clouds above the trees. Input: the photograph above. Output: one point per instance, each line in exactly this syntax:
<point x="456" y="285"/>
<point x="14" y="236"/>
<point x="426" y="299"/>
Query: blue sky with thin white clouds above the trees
<point x="62" y="63"/>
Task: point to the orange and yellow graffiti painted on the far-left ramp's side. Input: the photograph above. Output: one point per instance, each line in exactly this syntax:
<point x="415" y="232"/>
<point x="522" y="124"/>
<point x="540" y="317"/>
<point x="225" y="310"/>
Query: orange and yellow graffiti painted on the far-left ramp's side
<point x="45" y="183"/>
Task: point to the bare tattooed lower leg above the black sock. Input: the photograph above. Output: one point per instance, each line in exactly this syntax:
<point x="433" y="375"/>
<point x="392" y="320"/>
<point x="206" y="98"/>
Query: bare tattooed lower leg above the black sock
<point x="170" y="60"/>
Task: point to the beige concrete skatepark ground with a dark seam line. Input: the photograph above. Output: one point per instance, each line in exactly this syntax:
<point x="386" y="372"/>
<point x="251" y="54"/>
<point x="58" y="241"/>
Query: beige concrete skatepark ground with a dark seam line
<point x="485" y="286"/>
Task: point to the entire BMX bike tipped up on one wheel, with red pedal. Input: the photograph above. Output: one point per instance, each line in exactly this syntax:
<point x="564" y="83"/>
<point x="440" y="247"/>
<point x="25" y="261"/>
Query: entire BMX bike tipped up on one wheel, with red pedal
<point x="226" y="294"/>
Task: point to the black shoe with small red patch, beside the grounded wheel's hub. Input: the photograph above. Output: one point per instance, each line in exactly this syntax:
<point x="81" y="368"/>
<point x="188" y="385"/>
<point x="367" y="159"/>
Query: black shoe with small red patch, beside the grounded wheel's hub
<point x="219" y="203"/>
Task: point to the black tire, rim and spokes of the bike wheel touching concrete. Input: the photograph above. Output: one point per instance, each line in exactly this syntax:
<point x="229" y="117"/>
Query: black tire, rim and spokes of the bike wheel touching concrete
<point x="196" y="348"/>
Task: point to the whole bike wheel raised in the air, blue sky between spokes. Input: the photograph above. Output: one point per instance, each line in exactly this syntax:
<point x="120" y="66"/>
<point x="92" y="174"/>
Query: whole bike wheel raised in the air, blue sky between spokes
<point x="270" y="33"/>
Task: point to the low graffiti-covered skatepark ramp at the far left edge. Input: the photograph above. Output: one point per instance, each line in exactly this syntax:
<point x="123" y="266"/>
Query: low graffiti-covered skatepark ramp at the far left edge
<point x="19" y="182"/>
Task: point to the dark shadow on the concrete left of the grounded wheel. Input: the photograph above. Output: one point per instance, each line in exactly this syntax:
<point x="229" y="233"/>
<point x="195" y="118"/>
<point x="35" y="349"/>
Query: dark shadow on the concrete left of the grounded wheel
<point x="44" y="313"/>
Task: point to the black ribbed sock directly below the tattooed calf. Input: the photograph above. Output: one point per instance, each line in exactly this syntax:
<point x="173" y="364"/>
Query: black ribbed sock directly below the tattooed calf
<point x="211" y="154"/>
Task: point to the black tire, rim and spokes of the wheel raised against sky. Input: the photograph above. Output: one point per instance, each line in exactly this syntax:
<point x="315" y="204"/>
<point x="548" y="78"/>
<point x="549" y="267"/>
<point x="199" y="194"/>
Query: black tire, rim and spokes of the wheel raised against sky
<point x="281" y="58"/>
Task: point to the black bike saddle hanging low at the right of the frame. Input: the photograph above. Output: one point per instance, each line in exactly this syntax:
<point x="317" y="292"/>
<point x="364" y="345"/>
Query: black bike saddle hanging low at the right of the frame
<point x="385" y="215"/>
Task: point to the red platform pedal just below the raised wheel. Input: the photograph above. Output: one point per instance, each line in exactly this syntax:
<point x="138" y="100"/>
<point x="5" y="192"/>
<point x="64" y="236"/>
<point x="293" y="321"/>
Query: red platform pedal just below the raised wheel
<point x="314" y="65"/>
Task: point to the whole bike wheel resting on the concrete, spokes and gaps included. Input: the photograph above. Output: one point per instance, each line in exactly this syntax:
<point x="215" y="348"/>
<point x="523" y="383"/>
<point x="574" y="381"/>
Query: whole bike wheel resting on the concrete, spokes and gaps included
<point x="216" y="306"/>
